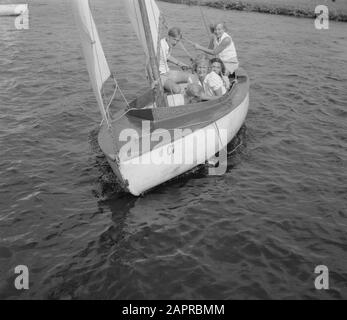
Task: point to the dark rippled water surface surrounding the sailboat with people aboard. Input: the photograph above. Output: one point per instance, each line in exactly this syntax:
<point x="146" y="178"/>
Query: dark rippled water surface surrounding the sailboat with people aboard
<point x="256" y="232"/>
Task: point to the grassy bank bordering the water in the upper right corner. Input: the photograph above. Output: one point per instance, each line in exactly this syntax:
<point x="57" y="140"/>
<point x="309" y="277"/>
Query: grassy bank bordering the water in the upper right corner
<point x="297" y="8"/>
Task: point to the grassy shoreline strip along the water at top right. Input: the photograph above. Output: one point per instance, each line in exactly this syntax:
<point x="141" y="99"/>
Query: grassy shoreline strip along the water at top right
<point x="263" y="7"/>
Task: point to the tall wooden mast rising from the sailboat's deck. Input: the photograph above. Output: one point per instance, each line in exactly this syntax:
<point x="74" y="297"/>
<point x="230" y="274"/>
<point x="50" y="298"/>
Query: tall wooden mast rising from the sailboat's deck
<point x="154" y="68"/>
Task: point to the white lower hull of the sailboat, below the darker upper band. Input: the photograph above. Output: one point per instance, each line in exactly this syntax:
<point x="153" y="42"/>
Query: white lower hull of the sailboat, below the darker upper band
<point x="142" y="173"/>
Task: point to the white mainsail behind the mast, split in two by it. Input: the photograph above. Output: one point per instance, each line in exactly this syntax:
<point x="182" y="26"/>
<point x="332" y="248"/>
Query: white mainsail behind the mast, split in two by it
<point x="134" y="13"/>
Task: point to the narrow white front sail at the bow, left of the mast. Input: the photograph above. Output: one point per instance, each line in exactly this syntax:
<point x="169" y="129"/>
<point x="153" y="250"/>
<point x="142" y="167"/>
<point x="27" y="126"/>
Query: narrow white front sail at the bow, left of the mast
<point x="97" y="65"/>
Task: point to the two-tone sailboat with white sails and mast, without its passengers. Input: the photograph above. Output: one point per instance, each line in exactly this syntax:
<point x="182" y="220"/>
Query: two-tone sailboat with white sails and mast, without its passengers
<point x="156" y="137"/>
